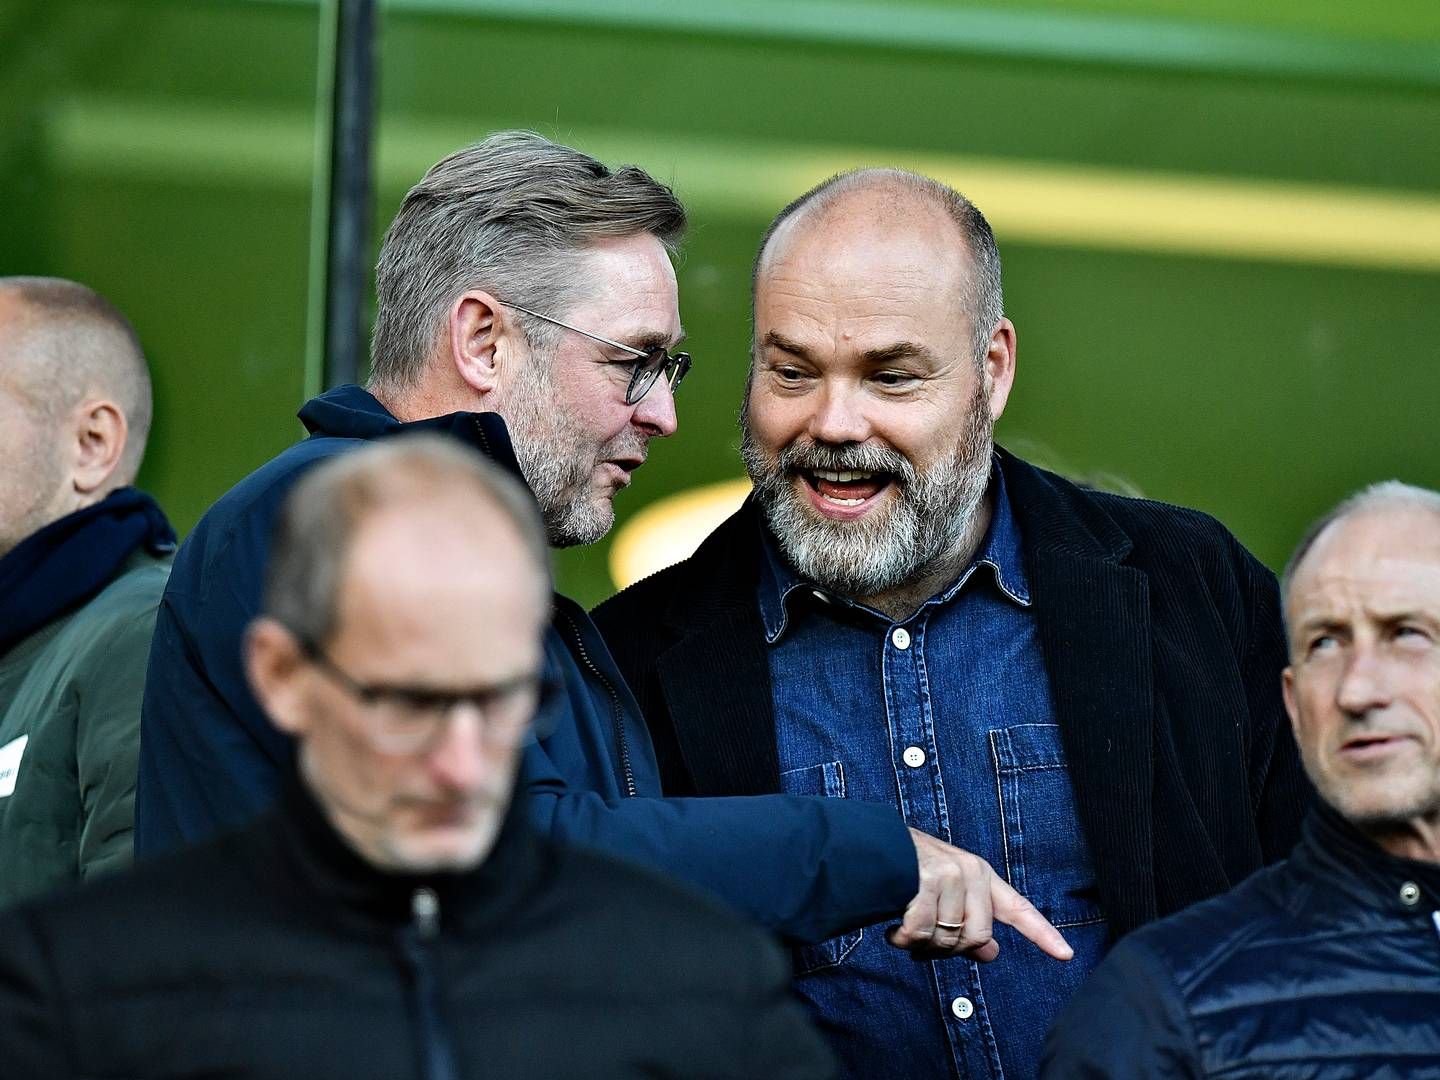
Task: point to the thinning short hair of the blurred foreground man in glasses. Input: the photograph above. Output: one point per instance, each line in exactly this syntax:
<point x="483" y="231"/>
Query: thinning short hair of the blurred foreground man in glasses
<point x="325" y="510"/>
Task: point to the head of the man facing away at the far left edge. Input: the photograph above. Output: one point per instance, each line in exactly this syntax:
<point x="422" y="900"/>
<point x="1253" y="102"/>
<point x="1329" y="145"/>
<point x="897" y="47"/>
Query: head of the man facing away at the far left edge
<point x="74" y="402"/>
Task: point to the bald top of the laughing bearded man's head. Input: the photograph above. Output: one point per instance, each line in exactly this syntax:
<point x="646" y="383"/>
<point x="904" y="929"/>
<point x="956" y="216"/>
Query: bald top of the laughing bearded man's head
<point x="881" y="202"/>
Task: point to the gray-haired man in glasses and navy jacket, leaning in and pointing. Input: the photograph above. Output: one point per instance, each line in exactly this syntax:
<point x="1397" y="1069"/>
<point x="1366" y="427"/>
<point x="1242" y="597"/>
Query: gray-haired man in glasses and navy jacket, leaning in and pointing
<point x="526" y="306"/>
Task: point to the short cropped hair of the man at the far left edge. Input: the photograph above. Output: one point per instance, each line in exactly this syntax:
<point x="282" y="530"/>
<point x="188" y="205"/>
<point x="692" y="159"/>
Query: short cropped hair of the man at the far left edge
<point x="74" y="343"/>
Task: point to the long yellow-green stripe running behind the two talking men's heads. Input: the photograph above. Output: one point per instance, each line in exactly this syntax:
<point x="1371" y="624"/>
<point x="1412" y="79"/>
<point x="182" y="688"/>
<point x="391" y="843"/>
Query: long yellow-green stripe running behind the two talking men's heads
<point x="1035" y="202"/>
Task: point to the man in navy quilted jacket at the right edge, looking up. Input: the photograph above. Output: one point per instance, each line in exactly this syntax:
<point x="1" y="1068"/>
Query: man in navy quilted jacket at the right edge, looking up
<point x="1327" y="966"/>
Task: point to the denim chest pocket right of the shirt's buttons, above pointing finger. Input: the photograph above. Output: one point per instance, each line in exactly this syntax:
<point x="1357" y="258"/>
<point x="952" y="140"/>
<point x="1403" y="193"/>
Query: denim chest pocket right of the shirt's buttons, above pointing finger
<point x="1046" y="855"/>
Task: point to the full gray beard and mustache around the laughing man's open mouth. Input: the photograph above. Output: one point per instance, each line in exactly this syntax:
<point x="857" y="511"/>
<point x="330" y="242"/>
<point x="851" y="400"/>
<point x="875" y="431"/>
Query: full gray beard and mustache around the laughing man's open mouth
<point x="930" y="518"/>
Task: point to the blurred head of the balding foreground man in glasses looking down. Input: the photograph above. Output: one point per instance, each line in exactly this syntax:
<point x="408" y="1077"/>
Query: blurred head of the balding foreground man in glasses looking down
<point x="405" y="610"/>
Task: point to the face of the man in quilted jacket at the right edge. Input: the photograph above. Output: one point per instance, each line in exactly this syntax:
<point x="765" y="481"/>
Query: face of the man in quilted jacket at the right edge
<point x="1363" y="689"/>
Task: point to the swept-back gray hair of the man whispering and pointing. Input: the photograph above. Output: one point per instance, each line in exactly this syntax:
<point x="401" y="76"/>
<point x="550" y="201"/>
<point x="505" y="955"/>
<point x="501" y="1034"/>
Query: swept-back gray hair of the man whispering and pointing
<point x="510" y="215"/>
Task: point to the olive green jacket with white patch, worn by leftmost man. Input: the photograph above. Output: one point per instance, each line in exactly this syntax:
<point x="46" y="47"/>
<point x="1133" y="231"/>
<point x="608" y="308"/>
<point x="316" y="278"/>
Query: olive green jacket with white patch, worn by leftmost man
<point x="70" y="737"/>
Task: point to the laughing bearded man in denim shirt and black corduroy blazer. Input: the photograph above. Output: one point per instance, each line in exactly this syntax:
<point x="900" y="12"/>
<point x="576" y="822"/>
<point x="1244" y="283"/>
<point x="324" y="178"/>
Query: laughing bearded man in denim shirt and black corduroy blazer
<point x="1078" y="689"/>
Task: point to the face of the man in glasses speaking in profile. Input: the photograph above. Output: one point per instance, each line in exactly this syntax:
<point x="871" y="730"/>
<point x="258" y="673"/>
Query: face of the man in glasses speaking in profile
<point x="577" y="440"/>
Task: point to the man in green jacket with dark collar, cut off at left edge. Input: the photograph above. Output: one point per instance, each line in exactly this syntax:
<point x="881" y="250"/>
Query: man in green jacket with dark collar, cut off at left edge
<point x="83" y="564"/>
